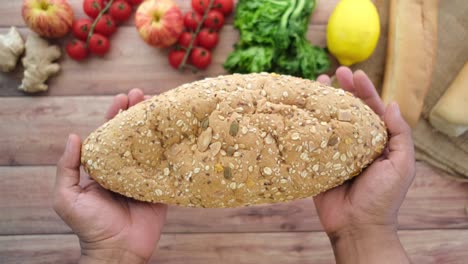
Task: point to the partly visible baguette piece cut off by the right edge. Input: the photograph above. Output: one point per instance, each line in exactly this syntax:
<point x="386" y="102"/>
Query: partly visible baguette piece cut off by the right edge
<point x="450" y="114"/>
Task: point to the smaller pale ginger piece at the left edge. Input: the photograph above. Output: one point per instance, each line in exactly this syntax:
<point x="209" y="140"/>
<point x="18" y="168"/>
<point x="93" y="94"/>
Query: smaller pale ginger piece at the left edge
<point x="11" y="47"/>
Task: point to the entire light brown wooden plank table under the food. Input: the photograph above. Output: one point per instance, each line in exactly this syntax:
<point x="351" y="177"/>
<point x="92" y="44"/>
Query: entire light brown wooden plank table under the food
<point x="33" y="130"/>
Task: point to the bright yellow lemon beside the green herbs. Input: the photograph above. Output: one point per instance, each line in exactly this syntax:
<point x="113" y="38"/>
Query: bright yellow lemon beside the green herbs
<point x="353" y="31"/>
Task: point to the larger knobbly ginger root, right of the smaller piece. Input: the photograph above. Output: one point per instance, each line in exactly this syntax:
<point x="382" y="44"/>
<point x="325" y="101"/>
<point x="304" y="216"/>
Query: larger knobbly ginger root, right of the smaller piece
<point x="38" y="64"/>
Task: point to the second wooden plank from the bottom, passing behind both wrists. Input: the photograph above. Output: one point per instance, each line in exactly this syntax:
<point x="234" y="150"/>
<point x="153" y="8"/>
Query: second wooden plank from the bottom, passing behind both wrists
<point x="25" y="193"/>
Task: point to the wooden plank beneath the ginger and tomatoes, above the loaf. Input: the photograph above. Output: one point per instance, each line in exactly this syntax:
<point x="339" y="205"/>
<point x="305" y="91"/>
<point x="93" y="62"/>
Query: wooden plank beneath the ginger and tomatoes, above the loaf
<point x="129" y="64"/>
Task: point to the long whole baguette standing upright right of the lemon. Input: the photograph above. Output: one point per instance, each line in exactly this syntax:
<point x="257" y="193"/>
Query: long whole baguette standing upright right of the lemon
<point x="411" y="54"/>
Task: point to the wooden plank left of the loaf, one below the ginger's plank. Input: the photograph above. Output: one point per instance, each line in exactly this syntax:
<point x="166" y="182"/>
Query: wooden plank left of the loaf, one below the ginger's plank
<point x="34" y="129"/>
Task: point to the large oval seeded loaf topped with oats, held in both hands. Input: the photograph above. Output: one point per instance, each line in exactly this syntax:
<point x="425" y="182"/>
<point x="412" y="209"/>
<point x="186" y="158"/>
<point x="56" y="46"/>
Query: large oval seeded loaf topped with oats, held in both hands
<point x="235" y="140"/>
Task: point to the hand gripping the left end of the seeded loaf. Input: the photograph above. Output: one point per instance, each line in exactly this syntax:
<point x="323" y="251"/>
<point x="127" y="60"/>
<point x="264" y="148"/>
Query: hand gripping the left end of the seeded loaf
<point x="111" y="228"/>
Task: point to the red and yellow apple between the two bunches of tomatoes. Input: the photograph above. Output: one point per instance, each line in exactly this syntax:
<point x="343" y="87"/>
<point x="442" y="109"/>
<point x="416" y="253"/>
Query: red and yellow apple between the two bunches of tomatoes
<point x="159" y="22"/>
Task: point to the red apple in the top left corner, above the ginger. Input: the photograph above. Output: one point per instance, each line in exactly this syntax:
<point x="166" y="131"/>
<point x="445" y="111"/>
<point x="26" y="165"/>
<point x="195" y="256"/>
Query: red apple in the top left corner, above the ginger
<point x="48" y="18"/>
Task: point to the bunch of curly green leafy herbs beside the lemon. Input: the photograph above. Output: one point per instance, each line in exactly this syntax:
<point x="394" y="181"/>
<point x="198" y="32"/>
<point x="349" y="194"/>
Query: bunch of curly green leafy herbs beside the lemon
<point x="273" y="39"/>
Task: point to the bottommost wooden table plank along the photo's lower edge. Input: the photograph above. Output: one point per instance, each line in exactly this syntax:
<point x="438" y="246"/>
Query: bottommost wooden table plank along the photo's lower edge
<point x="429" y="247"/>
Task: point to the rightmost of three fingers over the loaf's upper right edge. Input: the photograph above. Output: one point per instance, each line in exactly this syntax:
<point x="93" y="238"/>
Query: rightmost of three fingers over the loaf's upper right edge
<point x="367" y="92"/>
